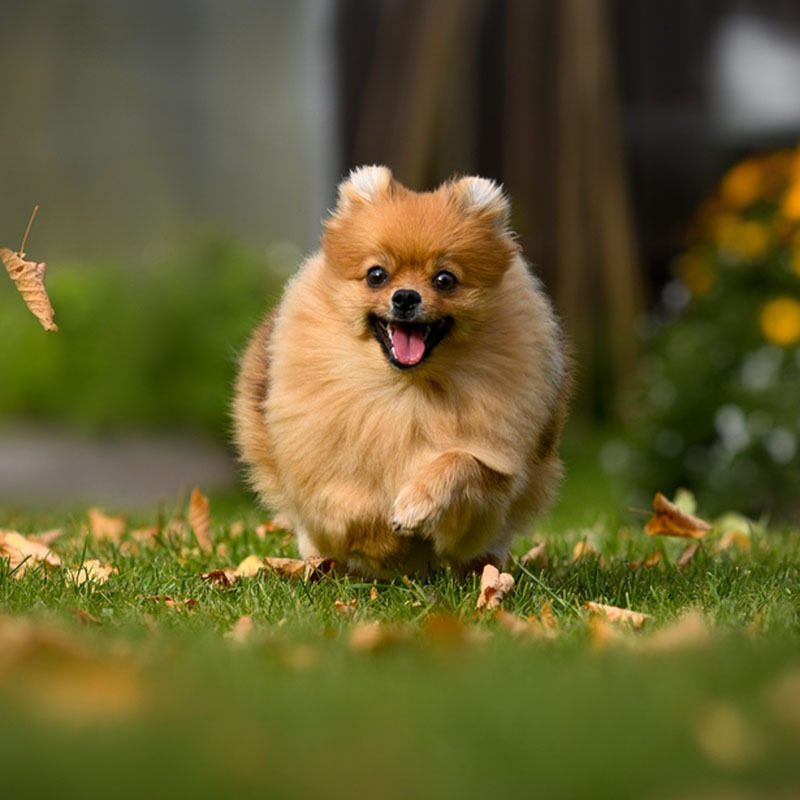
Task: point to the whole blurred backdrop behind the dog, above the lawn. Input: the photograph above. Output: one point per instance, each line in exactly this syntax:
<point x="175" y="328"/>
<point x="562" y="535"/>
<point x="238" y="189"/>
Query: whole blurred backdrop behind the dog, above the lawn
<point x="184" y="154"/>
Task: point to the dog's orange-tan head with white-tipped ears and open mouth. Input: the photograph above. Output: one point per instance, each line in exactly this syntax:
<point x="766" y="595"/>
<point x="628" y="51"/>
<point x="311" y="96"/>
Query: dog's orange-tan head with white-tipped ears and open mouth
<point x="412" y="269"/>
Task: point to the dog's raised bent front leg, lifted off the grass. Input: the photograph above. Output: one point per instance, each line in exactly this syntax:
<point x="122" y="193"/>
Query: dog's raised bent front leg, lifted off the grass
<point x="443" y="498"/>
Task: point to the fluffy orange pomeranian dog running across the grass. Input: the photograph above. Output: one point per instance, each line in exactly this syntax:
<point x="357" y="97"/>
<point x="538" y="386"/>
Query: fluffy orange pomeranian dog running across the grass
<point x="401" y="407"/>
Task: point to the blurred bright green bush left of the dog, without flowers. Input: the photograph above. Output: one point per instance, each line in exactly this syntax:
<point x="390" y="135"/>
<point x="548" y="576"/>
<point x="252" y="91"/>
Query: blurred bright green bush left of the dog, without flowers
<point x="139" y="346"/>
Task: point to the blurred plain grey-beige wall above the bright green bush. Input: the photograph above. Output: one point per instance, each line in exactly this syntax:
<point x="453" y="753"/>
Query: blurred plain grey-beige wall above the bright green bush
<point x="137" y="123"/>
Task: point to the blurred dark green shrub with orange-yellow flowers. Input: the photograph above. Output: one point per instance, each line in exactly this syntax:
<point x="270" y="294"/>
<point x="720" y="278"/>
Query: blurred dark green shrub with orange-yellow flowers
<point x="718" y="405"/>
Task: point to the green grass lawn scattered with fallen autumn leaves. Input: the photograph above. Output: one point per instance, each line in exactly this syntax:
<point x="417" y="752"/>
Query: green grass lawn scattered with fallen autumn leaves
<point x="124" y="687"/>
